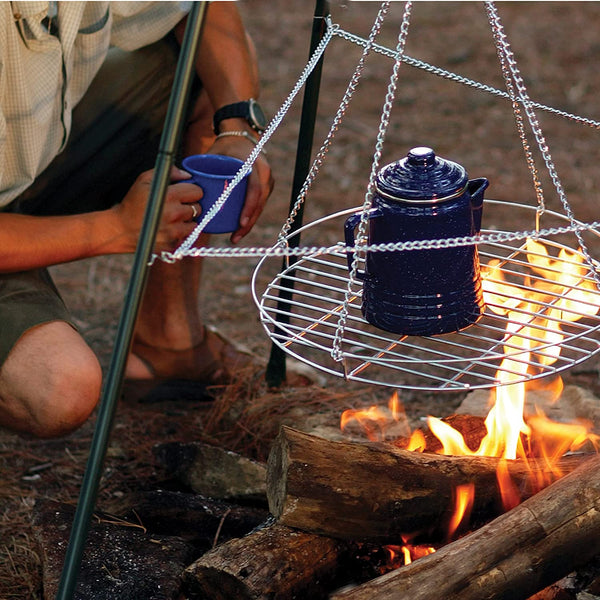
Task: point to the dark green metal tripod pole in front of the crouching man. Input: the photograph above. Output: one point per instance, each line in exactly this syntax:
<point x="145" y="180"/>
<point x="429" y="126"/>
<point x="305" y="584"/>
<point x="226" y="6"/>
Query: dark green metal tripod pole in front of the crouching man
<point x="112" y="389"/>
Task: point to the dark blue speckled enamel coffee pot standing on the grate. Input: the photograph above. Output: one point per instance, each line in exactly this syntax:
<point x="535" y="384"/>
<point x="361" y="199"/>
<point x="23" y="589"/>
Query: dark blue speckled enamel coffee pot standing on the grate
<point x="422" y="292"/>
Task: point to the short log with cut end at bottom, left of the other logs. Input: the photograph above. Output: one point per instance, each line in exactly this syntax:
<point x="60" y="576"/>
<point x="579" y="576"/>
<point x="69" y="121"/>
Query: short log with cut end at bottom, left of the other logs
<point x="274" y="563"/>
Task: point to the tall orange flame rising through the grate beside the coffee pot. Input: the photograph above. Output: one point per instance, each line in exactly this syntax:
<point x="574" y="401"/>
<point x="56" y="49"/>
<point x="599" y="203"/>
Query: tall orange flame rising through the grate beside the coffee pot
<point x="557" y="290"/>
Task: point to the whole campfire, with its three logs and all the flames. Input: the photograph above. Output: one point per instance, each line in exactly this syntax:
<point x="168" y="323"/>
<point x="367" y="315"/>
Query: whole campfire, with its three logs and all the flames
<point x="496" y="506"/>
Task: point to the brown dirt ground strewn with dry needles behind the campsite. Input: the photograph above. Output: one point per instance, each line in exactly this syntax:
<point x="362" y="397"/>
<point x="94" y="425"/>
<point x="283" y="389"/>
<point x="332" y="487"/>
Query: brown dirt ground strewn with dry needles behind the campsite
<point x="557" y="49"/>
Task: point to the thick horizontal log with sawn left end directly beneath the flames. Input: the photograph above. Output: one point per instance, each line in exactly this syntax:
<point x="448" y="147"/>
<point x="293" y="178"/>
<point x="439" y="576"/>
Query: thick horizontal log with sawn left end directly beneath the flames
<point x="376" y="492"/>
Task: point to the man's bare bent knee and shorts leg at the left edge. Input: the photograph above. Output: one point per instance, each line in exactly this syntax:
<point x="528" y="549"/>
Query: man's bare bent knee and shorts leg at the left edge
<point x="49" y="379"/>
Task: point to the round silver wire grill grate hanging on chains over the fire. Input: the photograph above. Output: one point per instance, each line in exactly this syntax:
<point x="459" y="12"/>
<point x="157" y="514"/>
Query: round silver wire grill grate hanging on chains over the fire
<point x="540" y="321"/>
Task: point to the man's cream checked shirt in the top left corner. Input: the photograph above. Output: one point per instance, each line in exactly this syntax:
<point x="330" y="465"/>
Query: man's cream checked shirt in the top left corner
<point x="49" y="54"/>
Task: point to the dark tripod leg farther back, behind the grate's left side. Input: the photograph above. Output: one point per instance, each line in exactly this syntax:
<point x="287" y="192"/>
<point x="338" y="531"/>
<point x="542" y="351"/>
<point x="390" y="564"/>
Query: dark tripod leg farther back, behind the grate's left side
<point x="276" y="367"/>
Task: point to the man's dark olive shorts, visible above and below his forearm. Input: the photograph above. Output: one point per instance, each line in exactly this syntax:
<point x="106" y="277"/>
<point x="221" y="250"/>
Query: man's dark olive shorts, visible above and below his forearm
<point x="115" y="136"/>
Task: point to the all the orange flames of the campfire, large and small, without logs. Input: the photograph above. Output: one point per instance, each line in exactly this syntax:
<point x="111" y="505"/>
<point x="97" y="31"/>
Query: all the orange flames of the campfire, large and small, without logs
<point x="555" y="291"/>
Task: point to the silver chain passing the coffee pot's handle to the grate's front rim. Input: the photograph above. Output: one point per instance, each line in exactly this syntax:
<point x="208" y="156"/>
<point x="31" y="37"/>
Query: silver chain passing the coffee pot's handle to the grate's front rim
<point x="336" y="351"/>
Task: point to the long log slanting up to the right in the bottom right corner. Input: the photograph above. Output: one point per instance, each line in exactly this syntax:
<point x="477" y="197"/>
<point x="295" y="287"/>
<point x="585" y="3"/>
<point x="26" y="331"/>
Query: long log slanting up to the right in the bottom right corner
<point x="511" y="558"/>
